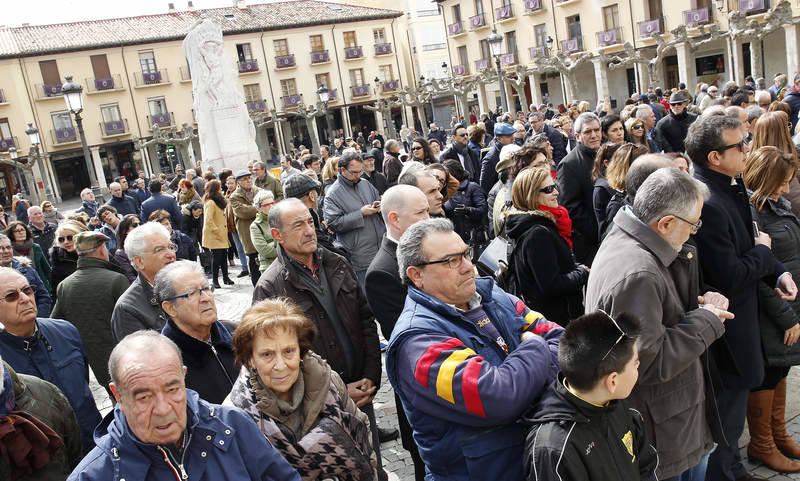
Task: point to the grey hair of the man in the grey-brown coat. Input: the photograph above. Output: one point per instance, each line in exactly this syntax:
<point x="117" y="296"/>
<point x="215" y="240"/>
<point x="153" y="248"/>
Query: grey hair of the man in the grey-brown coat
<point x="668" y="191"/>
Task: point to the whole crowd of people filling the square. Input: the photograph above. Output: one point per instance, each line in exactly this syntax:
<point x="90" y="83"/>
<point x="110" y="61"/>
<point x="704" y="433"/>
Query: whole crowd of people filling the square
<point x="644" y="306"/>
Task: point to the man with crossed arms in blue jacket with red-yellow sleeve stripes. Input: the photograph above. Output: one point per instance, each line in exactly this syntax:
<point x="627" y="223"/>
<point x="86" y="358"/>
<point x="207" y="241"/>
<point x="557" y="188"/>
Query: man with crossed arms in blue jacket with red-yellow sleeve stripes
<point x="466" y="359"/>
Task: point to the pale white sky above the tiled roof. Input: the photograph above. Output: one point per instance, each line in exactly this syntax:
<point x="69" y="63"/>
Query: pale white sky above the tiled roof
<point x="41" y="12"/>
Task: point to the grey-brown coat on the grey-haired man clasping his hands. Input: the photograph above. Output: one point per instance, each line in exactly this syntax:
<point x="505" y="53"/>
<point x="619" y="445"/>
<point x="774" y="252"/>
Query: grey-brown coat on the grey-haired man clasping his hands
<point x="638" y="272"/>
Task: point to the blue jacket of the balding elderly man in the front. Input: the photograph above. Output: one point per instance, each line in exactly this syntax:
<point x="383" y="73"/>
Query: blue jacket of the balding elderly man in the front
<point x="225" y="445"/>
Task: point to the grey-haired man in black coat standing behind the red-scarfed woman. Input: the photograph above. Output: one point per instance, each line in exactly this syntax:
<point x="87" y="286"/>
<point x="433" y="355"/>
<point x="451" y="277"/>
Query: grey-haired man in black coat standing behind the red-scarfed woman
<point x="576" y="187"/>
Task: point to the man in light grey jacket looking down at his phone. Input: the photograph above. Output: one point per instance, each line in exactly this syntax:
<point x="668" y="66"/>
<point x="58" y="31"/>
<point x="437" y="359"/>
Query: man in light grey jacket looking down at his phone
<point x="350" y="211"/>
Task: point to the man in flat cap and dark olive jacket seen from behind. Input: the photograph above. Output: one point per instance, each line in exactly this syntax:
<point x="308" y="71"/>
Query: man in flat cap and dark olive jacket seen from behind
<point x="88" y="297"/>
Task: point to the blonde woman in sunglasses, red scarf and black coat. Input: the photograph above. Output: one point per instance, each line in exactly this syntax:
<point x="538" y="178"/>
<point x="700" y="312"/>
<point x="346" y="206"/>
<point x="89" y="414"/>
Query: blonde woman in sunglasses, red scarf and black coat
<point x="546" y="271"/>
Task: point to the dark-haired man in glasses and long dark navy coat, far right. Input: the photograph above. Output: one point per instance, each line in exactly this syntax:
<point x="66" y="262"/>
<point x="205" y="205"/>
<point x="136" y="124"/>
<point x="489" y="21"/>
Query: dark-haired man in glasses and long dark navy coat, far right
<point x="734" y="258"/>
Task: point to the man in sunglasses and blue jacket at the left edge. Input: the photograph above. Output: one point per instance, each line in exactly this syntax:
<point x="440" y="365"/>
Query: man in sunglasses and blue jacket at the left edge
<point x="49" y="349"/>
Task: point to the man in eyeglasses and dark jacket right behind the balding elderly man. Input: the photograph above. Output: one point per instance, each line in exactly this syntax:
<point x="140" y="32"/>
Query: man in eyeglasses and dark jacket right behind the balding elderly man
<point x="187" y="300"/>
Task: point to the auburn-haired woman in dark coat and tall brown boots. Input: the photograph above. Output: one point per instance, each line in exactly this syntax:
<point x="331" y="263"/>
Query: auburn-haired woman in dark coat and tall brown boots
<point x="767" y="175"/>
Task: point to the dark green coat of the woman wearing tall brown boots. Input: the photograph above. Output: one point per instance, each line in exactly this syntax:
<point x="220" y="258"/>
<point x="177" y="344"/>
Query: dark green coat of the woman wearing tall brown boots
<point x="775" y="315"/>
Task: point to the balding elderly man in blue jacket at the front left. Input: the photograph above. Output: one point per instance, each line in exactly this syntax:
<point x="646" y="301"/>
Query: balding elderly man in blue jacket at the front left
<point x="160" y="430"/>
